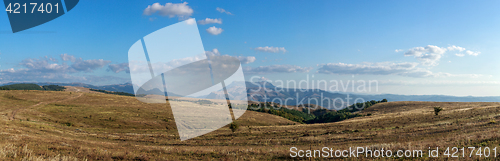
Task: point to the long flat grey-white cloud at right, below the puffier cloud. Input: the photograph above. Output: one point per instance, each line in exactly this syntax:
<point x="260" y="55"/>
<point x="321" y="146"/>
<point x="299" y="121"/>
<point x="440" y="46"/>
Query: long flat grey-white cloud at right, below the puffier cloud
<point x="407" y="69"/>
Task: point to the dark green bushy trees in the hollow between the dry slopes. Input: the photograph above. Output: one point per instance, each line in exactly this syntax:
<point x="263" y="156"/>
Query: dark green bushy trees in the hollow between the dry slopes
<point x="316" y="116"/>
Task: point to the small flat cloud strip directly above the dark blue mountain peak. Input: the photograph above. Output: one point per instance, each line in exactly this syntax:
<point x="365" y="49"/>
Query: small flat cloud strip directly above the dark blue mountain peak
<point x="276" y="69"/>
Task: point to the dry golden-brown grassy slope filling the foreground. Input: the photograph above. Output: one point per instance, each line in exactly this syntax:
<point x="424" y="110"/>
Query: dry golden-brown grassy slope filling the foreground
<point x="100" y="126"/>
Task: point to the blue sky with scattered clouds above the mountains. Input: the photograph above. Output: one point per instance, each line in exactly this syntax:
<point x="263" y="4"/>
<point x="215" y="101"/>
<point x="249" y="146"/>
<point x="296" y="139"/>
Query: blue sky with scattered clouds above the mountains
<point x="407" y="47"/>
